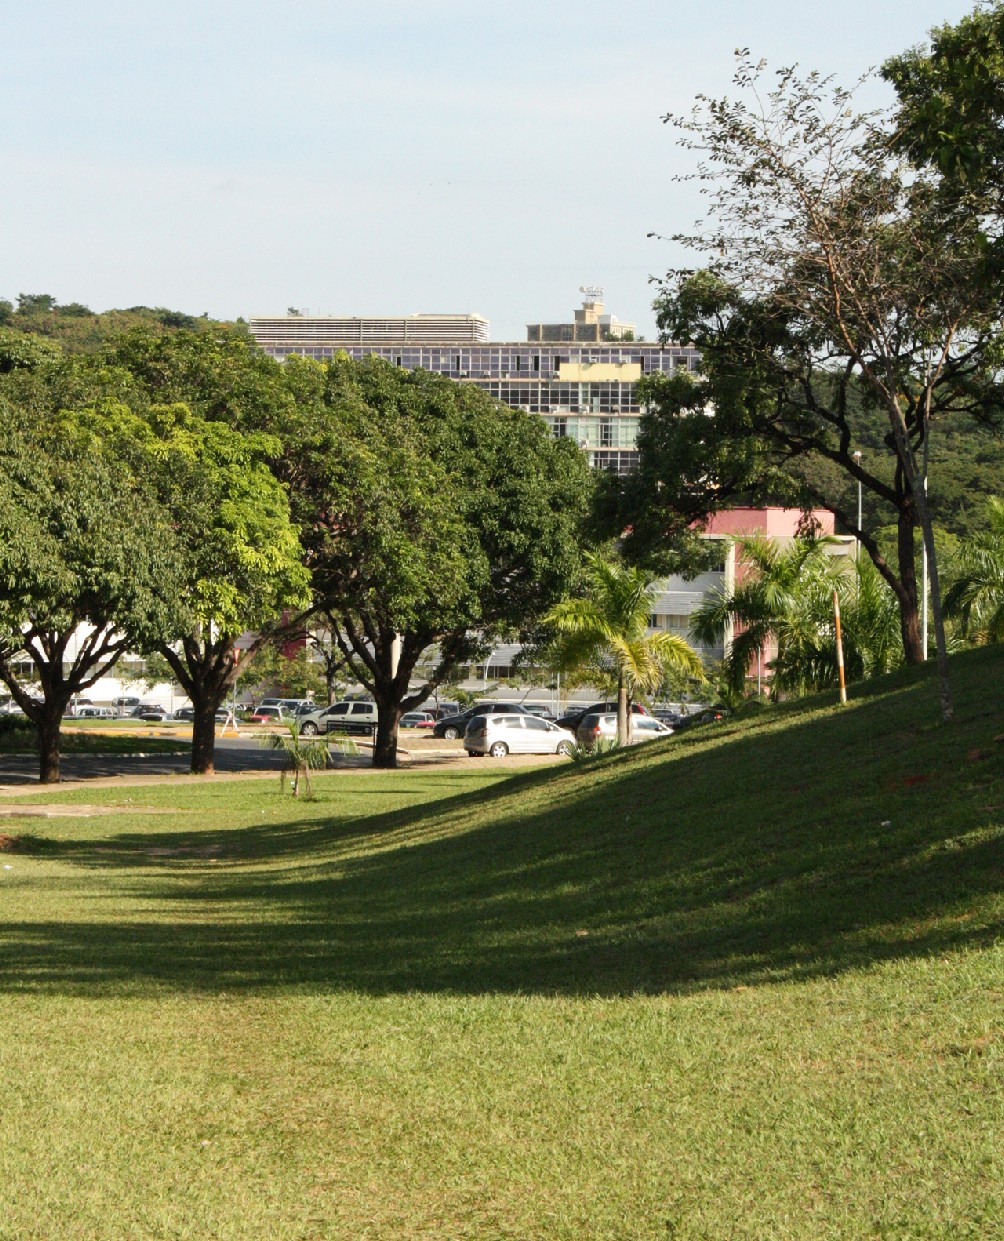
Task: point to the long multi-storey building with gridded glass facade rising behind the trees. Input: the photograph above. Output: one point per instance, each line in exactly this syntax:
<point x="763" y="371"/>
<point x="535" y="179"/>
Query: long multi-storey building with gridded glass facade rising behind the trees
<point x="584" y="390"/>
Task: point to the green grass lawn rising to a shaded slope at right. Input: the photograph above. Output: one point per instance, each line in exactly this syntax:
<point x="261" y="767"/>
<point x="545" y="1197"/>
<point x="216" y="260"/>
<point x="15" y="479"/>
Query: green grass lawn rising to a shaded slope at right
<point x="748" y="983"/>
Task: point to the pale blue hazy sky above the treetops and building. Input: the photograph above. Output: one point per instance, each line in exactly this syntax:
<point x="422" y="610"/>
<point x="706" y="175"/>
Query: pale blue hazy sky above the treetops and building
<point x="241" y="157"/>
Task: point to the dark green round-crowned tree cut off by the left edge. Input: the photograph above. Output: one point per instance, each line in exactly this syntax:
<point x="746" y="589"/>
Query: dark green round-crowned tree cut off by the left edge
<point x="89" y="568"/>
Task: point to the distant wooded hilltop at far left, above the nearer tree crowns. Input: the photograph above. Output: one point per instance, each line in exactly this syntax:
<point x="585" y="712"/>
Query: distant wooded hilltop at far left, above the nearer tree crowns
<point x="79" y="329"/>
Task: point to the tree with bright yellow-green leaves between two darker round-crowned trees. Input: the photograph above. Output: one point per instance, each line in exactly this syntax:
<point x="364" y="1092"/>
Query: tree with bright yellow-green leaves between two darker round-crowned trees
<point x="198" y="408"/>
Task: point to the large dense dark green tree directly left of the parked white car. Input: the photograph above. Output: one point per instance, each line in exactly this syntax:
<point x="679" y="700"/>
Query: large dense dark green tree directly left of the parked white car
<point x="434" y="518"/>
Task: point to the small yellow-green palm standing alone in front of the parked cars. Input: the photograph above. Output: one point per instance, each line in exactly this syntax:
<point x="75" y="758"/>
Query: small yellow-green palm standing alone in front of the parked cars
<point x="612" y="622"/>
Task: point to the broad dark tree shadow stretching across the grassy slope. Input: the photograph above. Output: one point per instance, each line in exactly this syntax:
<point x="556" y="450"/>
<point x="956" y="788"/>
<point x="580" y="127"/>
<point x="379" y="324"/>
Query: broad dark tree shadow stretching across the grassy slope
<point x="775" y="854"/>
